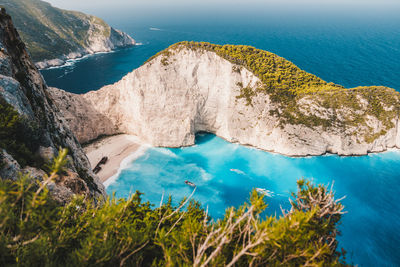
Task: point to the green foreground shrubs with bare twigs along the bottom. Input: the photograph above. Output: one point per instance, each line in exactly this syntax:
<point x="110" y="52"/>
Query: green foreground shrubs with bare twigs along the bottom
<point x="36" y="231"/>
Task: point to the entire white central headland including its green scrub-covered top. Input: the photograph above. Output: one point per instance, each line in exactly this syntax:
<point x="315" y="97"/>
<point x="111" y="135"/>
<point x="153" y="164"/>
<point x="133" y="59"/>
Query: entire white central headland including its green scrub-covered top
<point x="244" y="95"/>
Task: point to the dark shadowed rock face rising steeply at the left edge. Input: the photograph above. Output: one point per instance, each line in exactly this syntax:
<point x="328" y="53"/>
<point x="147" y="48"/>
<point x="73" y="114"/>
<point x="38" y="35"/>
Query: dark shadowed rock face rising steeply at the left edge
<point x="24" y="95"/>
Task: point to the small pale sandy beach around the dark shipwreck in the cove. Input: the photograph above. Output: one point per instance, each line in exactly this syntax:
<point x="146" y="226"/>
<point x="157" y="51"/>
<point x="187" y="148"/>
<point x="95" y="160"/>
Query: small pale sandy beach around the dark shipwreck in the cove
<point x="116" y="148"/>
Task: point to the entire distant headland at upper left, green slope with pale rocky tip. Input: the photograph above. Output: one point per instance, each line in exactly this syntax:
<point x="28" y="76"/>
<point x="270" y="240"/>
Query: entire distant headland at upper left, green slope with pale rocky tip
<point x="53" y="35"/>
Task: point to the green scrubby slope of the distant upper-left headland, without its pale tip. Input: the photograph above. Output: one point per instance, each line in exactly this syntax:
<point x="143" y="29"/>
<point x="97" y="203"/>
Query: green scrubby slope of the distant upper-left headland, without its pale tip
<point x="51" y="32"/>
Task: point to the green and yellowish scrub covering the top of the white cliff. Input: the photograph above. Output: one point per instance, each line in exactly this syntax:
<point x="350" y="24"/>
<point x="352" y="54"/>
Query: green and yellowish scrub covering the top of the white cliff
<point x="287" y="84"/>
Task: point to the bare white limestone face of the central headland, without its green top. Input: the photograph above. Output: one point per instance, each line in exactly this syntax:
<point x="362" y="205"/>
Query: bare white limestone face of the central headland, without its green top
<point x="169" y="99"/>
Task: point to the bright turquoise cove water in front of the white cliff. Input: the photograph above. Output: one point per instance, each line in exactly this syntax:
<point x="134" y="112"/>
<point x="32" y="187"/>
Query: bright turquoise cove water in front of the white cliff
<point x="226" y="173"/>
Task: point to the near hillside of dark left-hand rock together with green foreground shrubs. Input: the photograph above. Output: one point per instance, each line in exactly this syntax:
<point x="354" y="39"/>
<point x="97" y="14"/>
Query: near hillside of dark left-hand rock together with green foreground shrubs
<point x="52" y="211"/>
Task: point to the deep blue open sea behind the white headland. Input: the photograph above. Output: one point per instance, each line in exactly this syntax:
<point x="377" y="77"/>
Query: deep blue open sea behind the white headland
<point x="350" y="50"/>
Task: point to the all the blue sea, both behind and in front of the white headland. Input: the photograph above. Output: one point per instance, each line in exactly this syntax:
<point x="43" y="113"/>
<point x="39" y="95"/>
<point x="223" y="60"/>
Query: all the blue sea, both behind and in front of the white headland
<point x="352" y="47"/>
